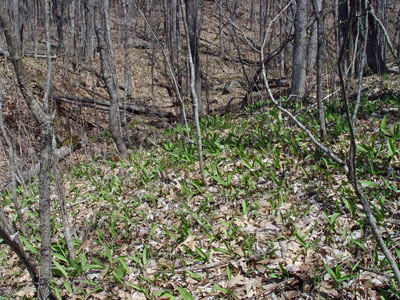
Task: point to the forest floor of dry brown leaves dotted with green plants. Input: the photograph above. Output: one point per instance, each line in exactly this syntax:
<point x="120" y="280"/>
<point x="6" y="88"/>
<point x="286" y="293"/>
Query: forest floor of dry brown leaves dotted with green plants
<point x="276" y="220"/>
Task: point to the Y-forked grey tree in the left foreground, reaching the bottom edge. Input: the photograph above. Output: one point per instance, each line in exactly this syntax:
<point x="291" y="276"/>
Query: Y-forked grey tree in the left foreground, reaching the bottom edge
<point x="45" y="121"/>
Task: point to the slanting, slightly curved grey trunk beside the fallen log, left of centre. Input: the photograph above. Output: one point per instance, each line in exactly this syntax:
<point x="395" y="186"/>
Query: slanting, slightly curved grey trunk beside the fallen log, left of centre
<point x="114" y="118"/>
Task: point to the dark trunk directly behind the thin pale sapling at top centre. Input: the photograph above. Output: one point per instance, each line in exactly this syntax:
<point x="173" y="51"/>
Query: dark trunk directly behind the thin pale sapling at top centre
<point x="191" y="14"/>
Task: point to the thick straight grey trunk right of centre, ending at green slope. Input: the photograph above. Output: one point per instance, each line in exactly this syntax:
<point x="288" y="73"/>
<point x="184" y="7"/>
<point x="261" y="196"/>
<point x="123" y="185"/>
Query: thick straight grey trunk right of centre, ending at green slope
<point x="298" y="87"/>
